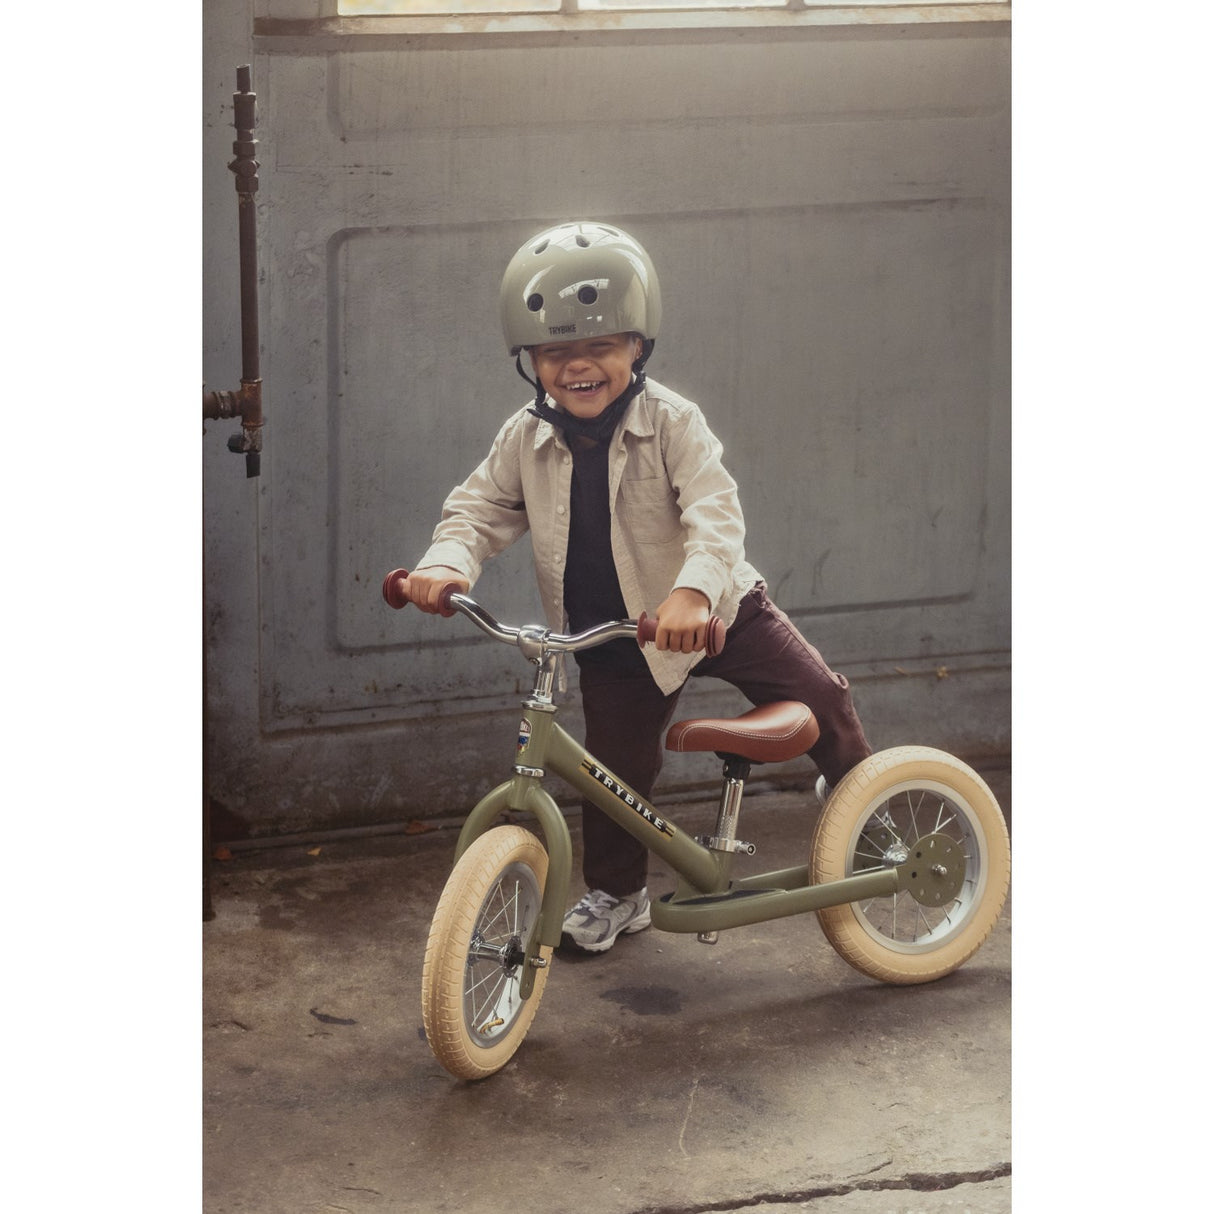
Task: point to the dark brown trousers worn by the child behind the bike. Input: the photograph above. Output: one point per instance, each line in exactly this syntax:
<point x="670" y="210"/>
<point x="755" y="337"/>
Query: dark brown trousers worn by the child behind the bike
<point x="764" y="656"/>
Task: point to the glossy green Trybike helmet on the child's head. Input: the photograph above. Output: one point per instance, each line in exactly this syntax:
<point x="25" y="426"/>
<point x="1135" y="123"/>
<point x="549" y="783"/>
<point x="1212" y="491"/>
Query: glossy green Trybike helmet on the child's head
<point x="580" y="280"/>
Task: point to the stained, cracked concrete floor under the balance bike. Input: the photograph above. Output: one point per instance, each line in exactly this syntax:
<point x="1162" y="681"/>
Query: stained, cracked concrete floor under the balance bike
<point x="759" y="1075"/>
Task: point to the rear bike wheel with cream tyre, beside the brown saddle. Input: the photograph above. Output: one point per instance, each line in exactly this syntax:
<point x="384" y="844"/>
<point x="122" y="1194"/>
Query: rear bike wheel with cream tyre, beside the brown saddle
<point x="878" y="816"/>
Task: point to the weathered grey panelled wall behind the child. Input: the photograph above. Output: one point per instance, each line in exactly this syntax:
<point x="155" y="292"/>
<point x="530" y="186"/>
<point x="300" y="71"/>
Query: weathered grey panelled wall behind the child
<point x="827" y="208"/>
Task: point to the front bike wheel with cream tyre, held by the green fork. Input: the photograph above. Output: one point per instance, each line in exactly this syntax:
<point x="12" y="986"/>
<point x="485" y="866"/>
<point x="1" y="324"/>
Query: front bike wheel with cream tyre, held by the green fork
<point x="474" y="1016"/>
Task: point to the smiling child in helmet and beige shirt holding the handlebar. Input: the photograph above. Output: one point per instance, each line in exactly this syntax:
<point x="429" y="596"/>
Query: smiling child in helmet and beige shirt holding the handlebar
<point x="622" y="485"/>
